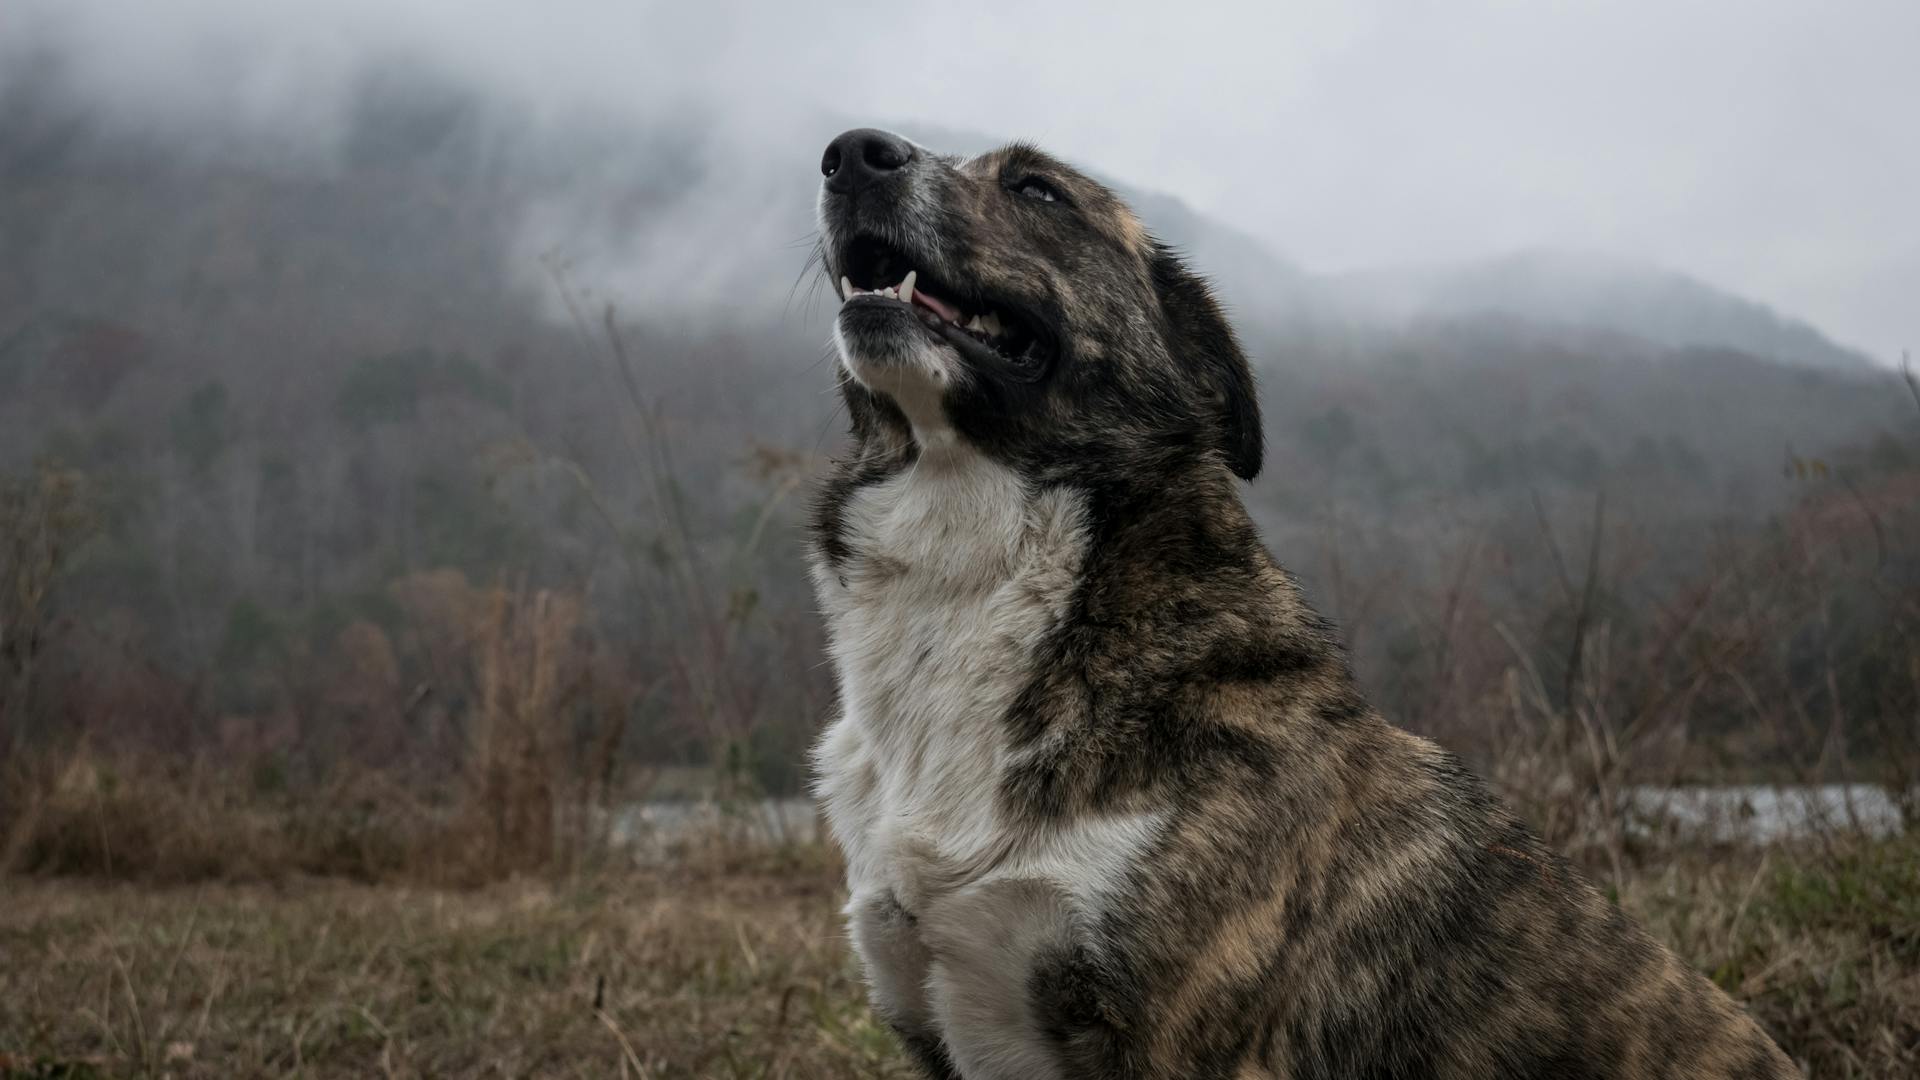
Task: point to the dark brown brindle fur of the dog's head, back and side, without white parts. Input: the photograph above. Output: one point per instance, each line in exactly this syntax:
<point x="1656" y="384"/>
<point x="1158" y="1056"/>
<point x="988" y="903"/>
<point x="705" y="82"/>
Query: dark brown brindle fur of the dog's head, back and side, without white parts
<point x="1330" y="896"/>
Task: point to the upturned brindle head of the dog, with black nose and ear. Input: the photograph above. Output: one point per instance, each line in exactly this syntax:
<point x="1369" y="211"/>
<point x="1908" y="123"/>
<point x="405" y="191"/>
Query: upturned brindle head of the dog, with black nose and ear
<point x="1017" y="305"/>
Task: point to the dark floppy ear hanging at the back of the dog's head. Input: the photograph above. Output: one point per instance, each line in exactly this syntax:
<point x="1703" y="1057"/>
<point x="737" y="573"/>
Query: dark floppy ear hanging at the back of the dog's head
<point x="1201" y="337"/>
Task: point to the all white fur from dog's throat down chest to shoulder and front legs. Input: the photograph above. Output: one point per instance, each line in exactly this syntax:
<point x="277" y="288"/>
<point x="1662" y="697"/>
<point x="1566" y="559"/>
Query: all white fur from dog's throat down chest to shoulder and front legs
<point x="957" y="577"/>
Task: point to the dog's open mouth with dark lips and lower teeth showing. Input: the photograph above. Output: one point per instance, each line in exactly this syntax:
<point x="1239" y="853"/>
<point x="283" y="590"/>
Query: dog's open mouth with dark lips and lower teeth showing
<point x="982" y="330"/>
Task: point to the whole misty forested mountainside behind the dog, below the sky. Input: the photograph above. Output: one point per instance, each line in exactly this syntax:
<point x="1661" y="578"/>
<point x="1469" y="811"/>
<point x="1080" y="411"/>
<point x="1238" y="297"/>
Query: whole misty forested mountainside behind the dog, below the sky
<point x="293" y="433"/>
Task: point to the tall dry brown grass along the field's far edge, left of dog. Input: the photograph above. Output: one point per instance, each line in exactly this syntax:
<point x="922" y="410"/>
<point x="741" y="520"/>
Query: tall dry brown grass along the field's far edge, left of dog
<point x="510" y="797"/>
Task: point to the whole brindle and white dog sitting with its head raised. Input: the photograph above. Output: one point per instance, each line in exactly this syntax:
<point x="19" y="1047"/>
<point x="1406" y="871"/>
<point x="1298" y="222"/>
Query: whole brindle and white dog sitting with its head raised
<point x="1109" y="797"/>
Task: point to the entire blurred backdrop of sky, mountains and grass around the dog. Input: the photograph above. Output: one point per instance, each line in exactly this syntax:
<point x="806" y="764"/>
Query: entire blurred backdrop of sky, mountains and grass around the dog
<point x="408" y="416"/>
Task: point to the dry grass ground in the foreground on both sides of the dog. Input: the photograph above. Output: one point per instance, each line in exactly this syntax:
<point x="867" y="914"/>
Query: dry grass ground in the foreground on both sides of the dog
<point x="736" y="968"/>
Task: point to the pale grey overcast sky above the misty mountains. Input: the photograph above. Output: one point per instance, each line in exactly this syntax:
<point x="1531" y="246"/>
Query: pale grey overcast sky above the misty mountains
<point x="1767" y="147"/>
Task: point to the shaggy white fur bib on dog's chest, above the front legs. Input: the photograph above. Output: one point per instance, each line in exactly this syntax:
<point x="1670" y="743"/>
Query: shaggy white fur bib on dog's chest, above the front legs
<point x="959" y="574"/>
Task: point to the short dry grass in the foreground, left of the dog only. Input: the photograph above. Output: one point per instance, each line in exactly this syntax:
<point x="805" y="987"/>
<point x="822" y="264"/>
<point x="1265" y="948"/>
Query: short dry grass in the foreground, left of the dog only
<point x="727" y="970"/>
